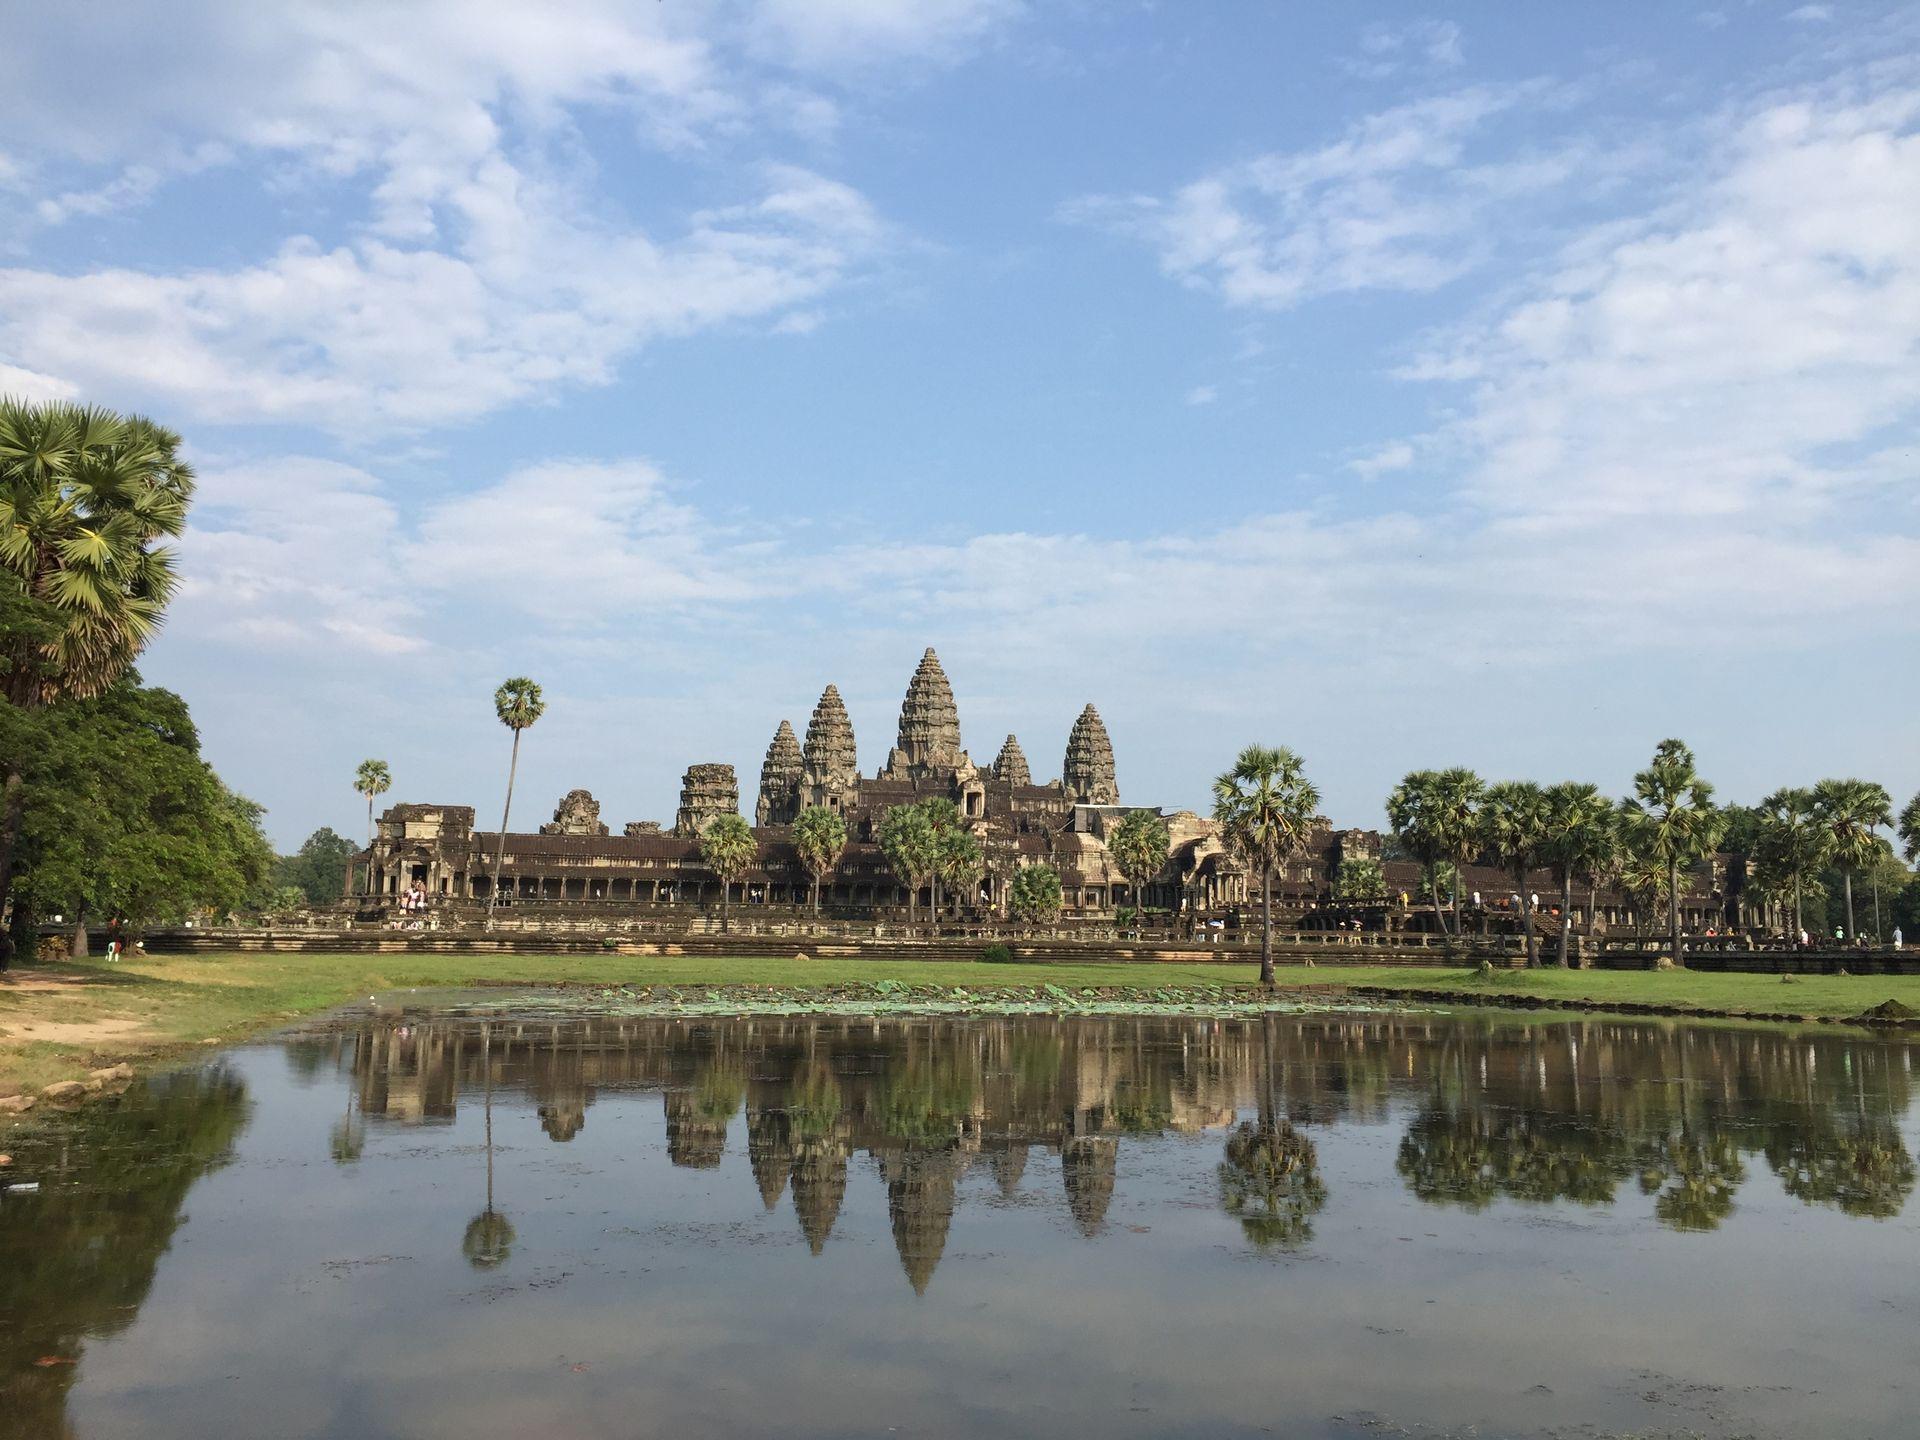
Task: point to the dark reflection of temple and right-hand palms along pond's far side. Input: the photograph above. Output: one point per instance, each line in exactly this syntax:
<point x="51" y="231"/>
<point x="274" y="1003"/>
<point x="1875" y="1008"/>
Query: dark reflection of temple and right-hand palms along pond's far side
<point x="1518" y="1111"/>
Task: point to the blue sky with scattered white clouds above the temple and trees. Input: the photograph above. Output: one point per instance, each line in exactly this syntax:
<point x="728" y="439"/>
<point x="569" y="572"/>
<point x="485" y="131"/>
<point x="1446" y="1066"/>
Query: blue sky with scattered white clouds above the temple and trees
<point x="1495" y="385"/>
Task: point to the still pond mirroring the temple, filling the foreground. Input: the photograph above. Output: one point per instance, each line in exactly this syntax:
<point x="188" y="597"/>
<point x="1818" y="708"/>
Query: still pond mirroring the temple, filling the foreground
<point x="452" y="1222"/>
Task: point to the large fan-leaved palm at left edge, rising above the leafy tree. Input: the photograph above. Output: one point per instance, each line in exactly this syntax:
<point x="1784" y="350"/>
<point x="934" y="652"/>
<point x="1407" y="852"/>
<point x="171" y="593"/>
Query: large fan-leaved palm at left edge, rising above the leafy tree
<point x="85" y="496"/>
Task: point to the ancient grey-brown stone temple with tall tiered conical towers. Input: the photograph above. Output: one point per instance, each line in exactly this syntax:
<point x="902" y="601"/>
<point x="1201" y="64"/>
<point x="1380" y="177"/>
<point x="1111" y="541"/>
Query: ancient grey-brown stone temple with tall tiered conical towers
<point x="1061" y="823"/>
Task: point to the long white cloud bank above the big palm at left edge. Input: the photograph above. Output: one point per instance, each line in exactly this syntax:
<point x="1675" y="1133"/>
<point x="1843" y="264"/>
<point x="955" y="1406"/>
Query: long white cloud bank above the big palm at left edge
<point x="391" y="337"/>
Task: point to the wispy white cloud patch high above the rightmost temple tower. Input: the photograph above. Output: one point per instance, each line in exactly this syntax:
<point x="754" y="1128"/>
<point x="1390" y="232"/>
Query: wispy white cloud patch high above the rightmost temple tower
<point x="1393" y="206"/>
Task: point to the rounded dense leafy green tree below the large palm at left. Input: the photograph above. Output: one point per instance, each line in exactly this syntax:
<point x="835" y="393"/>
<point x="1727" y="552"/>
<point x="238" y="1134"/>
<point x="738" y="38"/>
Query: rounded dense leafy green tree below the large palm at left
<point x="126" y="819"/>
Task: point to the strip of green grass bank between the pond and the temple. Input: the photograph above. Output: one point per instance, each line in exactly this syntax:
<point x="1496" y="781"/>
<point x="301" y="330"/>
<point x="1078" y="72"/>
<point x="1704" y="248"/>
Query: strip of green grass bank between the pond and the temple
<point x="59" y="1022"/>
